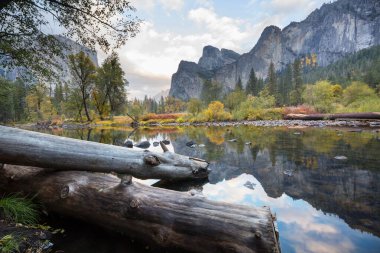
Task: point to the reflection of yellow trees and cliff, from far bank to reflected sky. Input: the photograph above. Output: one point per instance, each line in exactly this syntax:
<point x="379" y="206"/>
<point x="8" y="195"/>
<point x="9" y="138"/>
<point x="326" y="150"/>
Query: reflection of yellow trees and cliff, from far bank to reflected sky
<point x="350" y="189"/>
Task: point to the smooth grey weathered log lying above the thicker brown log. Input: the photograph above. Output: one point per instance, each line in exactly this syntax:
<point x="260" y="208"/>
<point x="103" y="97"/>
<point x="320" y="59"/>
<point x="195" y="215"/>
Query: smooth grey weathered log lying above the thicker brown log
<point x="21" y="147"/>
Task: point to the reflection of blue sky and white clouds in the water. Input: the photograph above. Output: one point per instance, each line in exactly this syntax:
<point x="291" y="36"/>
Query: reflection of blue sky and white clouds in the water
<point x="302" y="228"/>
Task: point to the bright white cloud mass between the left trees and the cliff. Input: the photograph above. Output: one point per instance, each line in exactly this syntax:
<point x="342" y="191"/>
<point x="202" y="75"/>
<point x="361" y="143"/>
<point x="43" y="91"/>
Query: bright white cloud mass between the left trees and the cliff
<point x="157" y="54"/>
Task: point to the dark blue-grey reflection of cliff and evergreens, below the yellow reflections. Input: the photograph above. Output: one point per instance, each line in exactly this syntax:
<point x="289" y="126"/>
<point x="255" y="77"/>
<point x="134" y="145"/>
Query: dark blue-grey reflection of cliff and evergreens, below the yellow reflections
<point x="287" y="165"/>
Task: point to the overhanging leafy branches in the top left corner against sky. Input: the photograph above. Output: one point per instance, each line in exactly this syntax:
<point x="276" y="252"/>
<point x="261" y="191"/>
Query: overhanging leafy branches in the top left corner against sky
<point x="23" y="37"/>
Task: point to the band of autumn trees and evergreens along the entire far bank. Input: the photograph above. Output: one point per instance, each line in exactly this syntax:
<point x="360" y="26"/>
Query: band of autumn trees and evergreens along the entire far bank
<point x="348" y="85"/>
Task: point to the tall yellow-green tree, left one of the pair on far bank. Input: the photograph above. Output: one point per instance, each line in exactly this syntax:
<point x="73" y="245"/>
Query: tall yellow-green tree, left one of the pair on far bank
<point x="83" y="71"/>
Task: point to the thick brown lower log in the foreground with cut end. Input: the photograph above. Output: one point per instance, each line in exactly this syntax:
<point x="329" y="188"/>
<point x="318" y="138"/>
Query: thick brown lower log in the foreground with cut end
<point x="174" y="220"/>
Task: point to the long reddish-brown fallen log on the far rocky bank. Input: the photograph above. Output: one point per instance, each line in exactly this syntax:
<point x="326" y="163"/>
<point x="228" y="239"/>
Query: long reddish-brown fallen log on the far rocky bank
<point x="319" y="116"/>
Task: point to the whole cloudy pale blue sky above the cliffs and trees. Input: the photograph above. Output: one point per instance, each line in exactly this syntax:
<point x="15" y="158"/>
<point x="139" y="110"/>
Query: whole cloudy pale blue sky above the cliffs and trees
<point x="175" y="30"/>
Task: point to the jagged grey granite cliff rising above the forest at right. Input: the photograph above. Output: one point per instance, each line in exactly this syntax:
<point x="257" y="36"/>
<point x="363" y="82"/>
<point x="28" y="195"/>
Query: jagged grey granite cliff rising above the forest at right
<point x="330" y="32"/>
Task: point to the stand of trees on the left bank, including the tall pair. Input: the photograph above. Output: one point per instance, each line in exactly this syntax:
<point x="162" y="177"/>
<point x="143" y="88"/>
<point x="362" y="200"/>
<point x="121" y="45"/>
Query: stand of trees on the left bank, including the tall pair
<point x="92" y="92"/>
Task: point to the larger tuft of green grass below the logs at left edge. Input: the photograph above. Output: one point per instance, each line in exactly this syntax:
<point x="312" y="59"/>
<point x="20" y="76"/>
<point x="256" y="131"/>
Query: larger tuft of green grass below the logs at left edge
<point x="18" y="209"/>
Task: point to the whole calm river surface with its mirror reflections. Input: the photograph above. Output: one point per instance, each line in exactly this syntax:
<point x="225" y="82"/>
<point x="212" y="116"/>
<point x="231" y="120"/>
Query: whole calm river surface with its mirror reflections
<point x="322" y="204"/>
